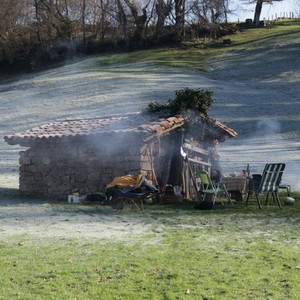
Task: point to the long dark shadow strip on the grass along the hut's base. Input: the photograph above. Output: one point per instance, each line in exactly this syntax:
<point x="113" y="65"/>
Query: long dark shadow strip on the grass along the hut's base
<point x="13" y="197"/>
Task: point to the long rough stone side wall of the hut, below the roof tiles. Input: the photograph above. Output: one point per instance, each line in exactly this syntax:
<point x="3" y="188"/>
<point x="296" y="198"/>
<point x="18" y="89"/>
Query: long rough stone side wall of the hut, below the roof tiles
<point x="60" y="169"/>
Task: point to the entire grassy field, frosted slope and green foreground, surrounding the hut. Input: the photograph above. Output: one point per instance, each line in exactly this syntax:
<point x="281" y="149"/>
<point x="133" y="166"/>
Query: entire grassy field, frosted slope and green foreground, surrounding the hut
<point x="54" y="250"/>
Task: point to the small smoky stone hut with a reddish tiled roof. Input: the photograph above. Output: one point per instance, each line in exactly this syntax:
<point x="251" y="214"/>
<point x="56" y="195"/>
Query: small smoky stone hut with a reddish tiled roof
<point x="84" y="155"/>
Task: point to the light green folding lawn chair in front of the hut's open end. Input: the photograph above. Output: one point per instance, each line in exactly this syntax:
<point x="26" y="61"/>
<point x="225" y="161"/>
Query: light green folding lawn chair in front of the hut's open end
<point x="211" y="188"/>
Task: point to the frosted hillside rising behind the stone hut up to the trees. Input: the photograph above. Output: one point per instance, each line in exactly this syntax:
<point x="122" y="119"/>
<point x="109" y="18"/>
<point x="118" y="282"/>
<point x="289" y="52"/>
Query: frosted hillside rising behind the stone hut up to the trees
<point x="255" y="84"/>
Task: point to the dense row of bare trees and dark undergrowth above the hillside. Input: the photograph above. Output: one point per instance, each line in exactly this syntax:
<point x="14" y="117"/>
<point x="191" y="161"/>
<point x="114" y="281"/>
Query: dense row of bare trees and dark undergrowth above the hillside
<point x="41" y="30"/>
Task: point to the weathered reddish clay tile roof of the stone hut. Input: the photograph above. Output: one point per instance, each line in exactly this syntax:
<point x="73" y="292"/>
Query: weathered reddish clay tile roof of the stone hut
<point x="135" y="123"/>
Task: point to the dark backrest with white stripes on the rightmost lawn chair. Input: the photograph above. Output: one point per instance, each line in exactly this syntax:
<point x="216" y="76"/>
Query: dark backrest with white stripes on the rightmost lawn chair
<point x="271" y="177"/>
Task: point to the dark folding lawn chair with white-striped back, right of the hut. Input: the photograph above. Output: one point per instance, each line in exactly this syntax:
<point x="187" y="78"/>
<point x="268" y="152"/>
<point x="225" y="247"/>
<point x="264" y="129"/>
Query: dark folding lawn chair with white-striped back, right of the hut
<point x="267" y="183"/>
